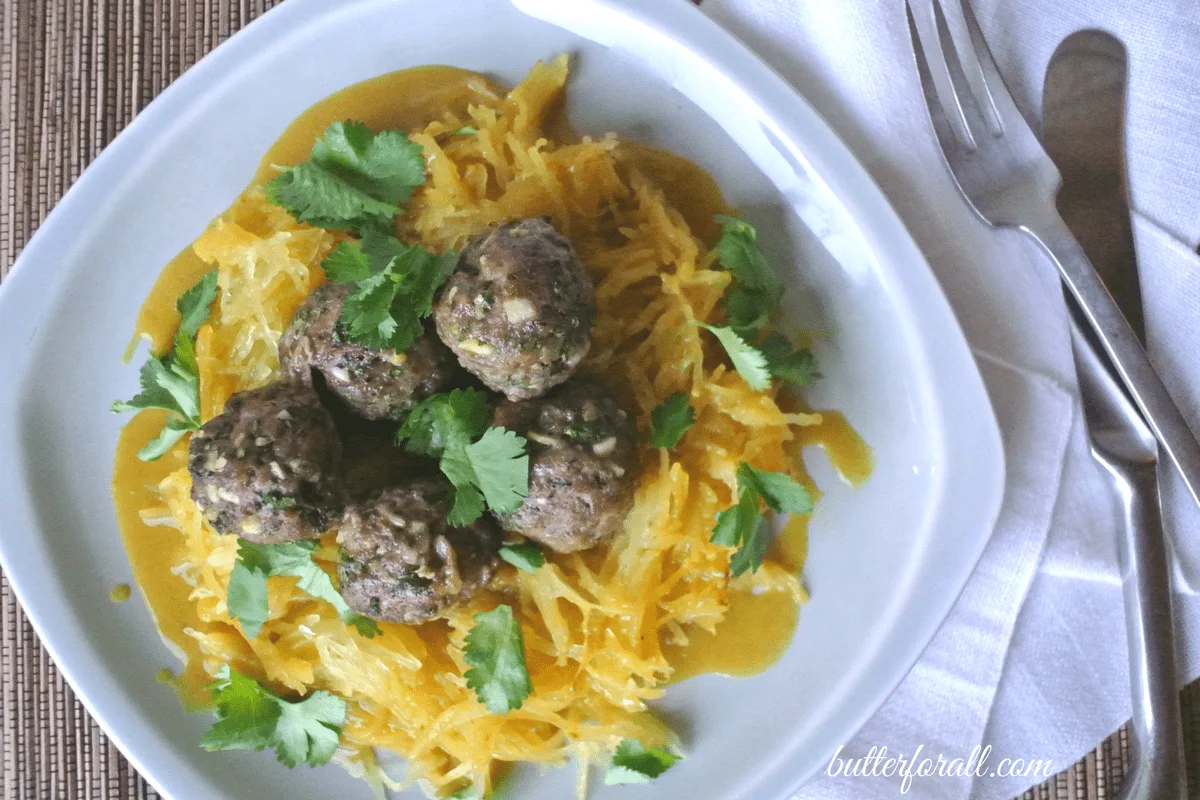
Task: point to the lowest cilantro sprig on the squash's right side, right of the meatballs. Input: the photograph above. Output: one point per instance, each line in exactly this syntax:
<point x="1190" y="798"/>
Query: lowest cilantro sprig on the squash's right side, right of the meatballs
<point x="743" y="527"/>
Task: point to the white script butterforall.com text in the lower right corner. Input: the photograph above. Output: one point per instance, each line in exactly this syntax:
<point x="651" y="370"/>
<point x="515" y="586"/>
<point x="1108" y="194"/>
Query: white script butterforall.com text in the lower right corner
<point x="879" y="762"/>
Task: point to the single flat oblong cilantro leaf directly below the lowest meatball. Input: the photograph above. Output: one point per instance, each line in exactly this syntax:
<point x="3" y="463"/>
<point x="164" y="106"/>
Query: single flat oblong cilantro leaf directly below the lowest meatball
<point x="495" y="651"/>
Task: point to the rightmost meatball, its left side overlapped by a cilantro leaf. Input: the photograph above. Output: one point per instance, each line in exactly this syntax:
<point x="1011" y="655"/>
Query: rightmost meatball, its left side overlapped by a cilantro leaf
<point x="583" y="460"/>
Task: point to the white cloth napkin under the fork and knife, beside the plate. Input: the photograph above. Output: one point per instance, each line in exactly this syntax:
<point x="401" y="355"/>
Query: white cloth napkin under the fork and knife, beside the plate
<point x="1033" y="660"/>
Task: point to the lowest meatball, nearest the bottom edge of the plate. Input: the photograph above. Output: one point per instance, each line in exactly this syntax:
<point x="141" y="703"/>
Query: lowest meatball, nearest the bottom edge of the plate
<point x="404" y="563"/>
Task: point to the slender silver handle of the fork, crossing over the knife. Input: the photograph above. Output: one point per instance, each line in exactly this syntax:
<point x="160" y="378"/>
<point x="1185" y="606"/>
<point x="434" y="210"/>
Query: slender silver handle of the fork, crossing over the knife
<point x="1126" y="353"/>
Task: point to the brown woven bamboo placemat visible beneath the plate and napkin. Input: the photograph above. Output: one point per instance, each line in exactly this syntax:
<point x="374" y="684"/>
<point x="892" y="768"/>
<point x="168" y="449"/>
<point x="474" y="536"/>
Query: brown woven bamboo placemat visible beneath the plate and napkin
<point x="73" y="75"/>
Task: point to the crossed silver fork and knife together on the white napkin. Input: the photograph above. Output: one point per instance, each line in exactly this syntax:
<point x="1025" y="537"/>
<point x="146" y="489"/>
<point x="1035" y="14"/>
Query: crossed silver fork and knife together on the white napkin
<point x="1009" y="178"/>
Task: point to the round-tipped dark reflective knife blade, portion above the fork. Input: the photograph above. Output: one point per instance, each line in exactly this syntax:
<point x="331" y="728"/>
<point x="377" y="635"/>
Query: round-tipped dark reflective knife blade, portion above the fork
<point x="1084" y="134"/>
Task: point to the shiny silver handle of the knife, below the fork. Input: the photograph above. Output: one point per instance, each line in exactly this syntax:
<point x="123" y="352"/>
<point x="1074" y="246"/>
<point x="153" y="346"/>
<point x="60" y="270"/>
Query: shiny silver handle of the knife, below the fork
<point x="1157" y="771"/>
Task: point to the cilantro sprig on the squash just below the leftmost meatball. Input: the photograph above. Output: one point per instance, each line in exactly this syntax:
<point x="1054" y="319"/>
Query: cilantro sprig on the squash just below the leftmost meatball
<point x="247" y="597"/>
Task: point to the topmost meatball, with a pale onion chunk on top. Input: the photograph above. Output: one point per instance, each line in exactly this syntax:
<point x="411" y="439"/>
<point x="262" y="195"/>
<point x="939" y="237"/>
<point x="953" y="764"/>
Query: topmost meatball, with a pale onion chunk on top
<point x="519" y="310"/>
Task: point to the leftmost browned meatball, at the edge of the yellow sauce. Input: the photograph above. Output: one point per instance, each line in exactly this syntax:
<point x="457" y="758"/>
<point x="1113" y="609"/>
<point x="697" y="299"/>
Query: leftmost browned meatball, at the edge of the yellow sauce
<point x="268" y="468"/>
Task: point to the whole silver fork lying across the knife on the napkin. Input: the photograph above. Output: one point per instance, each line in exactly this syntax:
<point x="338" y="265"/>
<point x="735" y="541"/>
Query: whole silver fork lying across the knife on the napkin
<point x="1010" y="182"/>
